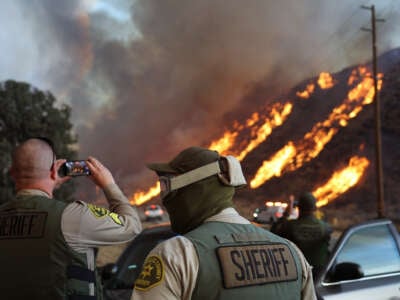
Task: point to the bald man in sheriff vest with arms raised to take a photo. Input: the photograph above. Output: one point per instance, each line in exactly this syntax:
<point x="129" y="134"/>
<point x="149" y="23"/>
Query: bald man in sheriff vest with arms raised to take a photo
<point x="47" y="247"/>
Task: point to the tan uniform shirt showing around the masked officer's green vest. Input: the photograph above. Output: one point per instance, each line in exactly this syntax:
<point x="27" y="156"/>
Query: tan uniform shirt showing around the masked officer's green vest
<point x="181" y="265"/>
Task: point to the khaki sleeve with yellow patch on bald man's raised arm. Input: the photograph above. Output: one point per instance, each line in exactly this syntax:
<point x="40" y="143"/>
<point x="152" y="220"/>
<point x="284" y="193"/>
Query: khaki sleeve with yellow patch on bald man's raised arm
<point x="86" y="226"/>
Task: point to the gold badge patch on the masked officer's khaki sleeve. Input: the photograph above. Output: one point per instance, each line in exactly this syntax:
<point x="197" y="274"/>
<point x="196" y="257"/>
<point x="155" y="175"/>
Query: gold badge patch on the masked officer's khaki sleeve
<point x="151" y="275"/>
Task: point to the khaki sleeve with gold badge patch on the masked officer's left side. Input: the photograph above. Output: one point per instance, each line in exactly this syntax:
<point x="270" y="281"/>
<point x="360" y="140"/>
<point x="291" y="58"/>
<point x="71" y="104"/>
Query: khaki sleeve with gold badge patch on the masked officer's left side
<point x="177" y="267"/>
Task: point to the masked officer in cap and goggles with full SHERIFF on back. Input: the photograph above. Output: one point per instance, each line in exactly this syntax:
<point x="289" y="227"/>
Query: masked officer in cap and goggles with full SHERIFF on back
<point x="218" y="254"/>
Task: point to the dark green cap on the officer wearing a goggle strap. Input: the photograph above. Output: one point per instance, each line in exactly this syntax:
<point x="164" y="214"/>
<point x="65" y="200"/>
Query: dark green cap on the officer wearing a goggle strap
<point x="187" y="160"/>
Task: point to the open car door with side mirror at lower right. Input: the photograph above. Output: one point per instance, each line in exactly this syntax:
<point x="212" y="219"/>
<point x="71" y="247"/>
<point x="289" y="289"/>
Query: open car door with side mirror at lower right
<point x="365" y="264"/>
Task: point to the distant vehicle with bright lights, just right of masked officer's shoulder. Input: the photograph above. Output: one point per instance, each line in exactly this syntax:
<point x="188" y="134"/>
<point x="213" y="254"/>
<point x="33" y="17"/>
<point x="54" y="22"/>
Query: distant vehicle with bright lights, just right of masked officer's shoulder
<point x="271" y="212"/>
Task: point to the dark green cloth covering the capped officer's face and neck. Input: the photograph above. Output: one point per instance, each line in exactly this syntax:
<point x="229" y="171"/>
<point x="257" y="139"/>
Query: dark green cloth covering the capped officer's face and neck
<point x="189" y="206"/>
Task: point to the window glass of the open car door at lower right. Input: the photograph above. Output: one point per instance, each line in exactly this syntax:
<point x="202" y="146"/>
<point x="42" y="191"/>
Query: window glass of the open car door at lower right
<point x="373" y="249"/>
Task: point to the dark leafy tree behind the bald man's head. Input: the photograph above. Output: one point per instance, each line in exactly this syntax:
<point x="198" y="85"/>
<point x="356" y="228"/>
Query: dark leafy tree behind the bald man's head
<point x="27" y="112"/>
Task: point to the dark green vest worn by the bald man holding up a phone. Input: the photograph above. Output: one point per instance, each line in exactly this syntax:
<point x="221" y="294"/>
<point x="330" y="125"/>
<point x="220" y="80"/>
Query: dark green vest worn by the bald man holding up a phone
<point x="36" y="262"/>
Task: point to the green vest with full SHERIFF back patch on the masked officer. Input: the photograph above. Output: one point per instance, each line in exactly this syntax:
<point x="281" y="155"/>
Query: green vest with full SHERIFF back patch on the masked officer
<point x="242" y="261"/>
